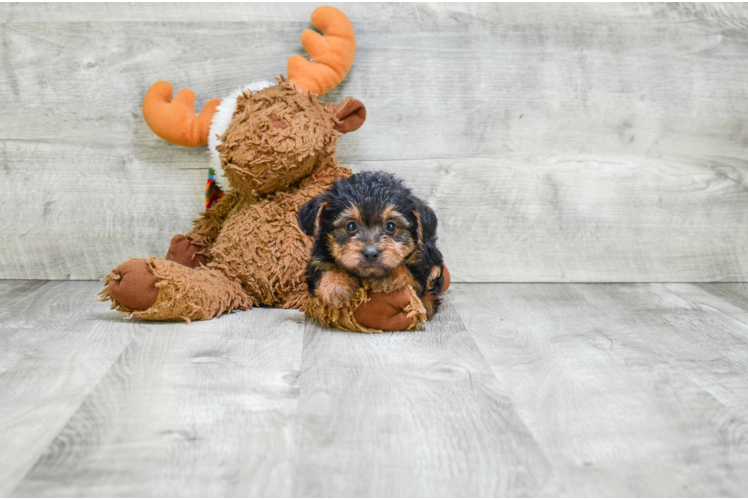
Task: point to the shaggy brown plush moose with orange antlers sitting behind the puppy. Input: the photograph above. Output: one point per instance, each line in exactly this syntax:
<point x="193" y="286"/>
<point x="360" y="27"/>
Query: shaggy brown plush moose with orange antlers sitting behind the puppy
<point x="273" y="148"/>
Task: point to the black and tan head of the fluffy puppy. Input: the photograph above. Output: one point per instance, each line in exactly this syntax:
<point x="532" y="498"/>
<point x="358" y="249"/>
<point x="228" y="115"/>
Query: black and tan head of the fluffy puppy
<point x="368" y="223"/>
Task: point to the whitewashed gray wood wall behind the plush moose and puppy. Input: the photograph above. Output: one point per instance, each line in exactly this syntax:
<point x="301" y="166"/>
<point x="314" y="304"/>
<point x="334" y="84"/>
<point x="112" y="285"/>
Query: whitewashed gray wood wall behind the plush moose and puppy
<point x="557" y="142"/>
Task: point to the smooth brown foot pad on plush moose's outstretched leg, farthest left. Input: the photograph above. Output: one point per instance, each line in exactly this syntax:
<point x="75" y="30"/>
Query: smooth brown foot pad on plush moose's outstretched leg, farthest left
<point x="133" y="285"/>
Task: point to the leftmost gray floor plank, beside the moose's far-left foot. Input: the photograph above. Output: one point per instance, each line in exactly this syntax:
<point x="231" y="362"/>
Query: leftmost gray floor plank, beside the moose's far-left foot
<point x="56" y="343"/>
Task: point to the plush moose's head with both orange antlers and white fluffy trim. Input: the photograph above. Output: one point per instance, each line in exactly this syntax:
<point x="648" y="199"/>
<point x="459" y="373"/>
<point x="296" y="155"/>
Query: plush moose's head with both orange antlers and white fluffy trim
<point x="265" y="137"/>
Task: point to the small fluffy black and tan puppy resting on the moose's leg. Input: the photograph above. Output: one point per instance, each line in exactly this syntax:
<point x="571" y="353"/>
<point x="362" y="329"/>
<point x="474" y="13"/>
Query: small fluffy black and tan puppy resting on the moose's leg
<point x="371" y="231"/>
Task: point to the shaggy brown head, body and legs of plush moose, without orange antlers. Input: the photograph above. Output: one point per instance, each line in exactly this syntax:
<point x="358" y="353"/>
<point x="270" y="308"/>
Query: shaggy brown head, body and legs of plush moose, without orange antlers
<point x="277" y="153"/>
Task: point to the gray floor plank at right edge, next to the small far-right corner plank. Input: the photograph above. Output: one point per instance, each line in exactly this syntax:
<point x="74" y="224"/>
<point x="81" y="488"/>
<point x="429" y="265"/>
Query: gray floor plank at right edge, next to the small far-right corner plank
<point x="700" y="335"/>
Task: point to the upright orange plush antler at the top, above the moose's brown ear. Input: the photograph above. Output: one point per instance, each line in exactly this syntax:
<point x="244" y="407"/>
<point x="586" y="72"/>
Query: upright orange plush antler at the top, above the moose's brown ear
<point x="332" y="54"/>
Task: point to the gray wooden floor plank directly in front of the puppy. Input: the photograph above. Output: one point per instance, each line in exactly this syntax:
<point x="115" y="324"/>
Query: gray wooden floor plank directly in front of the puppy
<point x="405" y="415"/>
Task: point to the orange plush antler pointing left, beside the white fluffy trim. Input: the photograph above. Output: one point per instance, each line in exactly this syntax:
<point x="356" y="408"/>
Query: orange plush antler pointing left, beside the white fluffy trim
<point x="175" y="120"/>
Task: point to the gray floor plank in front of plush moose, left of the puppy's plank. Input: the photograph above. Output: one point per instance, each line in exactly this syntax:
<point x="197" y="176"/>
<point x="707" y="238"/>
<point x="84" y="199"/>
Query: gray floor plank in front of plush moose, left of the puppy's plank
<point x="201" y="410"/>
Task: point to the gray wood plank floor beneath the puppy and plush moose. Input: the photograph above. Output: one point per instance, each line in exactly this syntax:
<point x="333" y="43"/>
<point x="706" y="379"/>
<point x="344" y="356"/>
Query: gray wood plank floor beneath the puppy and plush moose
<point x="567" y="390"/>
